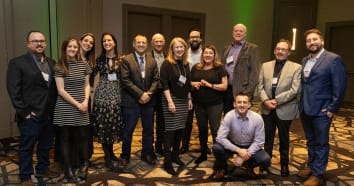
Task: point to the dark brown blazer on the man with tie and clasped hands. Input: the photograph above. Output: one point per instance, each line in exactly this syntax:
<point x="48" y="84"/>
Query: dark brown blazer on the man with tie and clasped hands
<point x="133" y="84"/>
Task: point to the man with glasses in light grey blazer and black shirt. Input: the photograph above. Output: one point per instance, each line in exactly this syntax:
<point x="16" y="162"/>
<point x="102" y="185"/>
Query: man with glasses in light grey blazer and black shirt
<point x="279" y="86"/>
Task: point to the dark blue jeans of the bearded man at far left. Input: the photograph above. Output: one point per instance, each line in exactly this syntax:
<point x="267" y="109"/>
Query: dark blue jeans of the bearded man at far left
<point x="32" y="132"/>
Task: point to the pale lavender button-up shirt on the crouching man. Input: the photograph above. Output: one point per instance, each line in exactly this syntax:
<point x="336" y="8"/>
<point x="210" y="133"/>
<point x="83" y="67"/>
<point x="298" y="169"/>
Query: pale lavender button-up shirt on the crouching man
<point x="235" y="131"/>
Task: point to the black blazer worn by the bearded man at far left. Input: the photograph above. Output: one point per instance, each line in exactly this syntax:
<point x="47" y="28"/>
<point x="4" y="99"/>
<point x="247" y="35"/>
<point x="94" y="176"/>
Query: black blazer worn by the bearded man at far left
<point x="28" y="90"/>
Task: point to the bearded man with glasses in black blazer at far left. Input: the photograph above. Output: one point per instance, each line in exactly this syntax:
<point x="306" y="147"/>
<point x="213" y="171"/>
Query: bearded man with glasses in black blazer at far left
<point x="32" y="90"/>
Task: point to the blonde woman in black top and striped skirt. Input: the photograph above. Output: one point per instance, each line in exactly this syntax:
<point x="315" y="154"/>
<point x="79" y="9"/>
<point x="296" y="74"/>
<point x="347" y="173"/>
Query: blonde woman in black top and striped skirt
<point x="175" y="78"/>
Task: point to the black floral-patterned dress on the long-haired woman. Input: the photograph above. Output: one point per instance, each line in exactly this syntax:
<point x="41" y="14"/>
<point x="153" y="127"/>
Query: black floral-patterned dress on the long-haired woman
<point x="107" y="114"/>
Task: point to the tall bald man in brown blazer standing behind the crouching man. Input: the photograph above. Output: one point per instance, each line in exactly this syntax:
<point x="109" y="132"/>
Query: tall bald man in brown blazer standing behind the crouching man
<point x="241" y="60"/>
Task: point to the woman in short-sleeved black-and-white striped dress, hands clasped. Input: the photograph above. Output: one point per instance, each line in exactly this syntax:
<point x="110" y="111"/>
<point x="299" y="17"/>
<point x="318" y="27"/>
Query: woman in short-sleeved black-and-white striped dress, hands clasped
<point x="71" y="111"/>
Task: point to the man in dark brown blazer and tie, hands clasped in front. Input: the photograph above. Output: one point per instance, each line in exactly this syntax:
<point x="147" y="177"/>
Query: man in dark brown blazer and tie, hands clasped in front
<point x="140" y="78"/>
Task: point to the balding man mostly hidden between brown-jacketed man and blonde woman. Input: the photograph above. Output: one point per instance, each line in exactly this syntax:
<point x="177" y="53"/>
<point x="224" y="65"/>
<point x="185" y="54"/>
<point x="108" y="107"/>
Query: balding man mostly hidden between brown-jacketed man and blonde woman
<point x="158" y="44"/>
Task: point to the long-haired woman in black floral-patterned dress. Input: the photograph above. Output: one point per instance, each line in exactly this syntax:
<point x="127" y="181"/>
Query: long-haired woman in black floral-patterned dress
<point x="107" y="114"/>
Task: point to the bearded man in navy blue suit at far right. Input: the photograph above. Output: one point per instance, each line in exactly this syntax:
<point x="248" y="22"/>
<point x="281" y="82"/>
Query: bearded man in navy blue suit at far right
<point x="323" y="88"/>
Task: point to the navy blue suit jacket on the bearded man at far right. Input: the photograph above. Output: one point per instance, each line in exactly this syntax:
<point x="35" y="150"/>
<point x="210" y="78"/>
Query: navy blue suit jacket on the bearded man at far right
<point x="325" y="87"/>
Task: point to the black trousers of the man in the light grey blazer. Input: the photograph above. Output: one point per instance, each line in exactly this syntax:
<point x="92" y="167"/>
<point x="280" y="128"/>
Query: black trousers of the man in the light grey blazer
<point x="271" y="122"/>
